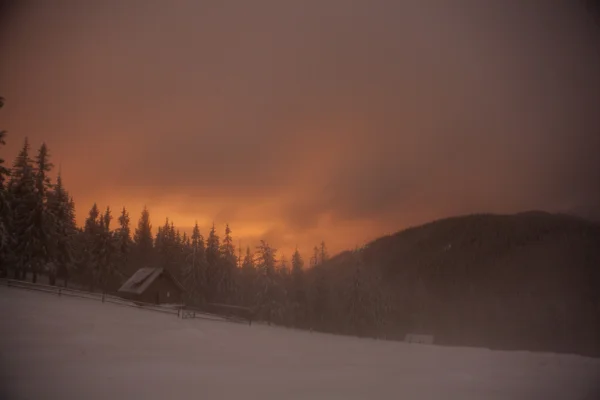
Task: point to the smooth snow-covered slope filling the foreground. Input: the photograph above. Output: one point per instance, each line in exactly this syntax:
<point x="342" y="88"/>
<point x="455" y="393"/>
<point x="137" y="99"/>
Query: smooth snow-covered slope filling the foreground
<point x="67" y="348"/>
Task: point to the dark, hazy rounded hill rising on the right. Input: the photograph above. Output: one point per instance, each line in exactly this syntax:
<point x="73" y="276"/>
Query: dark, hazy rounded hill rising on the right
<point x="528" y="281"/>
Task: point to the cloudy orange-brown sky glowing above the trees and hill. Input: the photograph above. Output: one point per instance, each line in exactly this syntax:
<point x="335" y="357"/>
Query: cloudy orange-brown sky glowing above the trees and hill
<point x="298" y="122"/>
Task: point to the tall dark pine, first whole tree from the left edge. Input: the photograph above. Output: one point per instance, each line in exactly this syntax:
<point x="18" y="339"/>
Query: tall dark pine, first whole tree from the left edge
<point x="23" y="202"/>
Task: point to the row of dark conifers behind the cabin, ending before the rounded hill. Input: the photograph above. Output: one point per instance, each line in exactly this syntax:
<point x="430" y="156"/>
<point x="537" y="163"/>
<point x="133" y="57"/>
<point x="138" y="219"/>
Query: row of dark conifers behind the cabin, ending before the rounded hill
<point x="39" y="236"/>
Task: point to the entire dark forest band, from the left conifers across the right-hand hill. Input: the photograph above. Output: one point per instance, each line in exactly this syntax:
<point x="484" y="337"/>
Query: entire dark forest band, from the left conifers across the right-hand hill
<point x="524" y="281"/>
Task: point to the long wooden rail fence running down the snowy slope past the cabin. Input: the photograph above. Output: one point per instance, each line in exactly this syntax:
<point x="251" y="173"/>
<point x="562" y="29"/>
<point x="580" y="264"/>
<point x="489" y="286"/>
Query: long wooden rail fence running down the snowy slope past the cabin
<point x="179" y="310"/>
